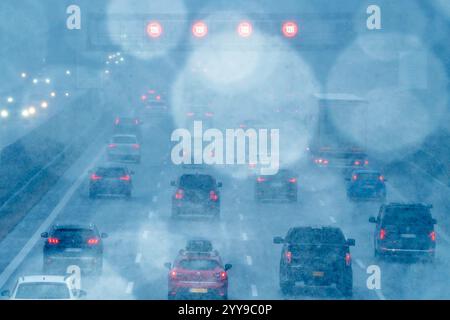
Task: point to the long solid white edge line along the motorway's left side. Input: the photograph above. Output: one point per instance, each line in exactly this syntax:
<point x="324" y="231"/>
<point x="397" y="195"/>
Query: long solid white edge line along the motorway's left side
<point x="15" y="263"/>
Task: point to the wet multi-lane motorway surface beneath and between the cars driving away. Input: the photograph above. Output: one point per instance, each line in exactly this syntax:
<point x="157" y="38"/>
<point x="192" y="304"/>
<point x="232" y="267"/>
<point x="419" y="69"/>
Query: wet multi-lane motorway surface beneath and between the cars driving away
<point x="142" y="237"/>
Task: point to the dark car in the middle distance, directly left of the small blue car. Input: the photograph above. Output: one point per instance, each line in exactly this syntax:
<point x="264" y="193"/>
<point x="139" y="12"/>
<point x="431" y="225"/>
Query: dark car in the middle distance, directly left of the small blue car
<point x="282" y="185"/>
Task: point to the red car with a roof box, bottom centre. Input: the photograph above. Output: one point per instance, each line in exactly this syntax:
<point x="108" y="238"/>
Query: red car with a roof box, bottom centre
<point x="198" y="274"/>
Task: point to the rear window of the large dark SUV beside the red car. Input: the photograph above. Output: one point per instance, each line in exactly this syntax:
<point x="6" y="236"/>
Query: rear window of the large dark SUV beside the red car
<point x="316" y="236"/>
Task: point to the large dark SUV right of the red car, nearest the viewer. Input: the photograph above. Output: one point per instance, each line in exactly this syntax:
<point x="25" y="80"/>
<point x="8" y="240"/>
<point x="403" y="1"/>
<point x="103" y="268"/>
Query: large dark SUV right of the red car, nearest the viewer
<point x="316" y="256"/>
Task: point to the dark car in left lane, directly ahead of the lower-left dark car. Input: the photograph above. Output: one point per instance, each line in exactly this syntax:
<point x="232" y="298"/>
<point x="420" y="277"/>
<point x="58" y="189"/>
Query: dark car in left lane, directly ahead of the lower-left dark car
<point x="110" y="181"/>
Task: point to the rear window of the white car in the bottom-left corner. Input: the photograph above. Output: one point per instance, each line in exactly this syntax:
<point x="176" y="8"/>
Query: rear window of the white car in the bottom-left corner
<point x="43" y="290"/>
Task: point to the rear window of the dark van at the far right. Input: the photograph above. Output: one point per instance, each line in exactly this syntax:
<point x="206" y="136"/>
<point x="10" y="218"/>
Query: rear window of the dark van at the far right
<point x="407" y="216"/>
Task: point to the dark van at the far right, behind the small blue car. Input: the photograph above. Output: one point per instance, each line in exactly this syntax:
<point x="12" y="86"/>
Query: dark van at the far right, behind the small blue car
<point x="405" y="231"/>
